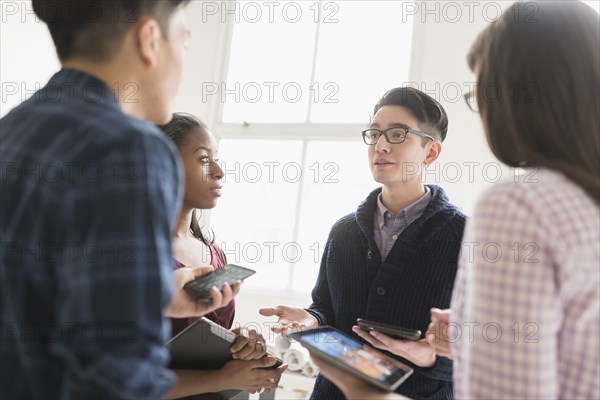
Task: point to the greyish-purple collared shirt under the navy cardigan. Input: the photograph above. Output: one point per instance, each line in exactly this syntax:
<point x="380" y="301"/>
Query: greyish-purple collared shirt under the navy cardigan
<point x="387" y="226"/>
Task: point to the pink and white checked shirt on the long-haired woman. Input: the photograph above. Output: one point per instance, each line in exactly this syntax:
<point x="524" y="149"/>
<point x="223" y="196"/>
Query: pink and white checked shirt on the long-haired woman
<point x="526" y="303"/>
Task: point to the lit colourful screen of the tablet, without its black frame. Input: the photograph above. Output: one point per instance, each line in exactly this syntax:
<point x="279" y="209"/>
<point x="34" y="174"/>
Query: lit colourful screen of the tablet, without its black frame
<point x="362" y="358"/>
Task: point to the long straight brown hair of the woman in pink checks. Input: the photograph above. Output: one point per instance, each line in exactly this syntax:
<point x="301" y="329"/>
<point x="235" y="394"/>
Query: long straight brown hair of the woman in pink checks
<point x="538" y="89"/>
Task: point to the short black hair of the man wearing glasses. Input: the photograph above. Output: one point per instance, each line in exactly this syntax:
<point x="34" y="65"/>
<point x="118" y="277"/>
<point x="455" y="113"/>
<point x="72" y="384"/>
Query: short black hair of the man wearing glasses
<point x="429" y="112"/>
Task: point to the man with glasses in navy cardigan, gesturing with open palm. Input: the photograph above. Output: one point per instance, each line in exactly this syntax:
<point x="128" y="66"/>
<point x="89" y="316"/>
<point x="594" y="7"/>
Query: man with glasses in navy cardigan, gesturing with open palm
<point x="396" y="257"/>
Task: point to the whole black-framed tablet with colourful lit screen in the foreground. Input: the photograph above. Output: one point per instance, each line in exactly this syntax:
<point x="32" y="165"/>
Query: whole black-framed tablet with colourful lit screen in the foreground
<point x="356" y="358"/>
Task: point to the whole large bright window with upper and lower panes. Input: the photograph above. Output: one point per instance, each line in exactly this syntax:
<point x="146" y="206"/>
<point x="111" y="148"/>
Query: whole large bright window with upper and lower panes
<point x="301" y="84"/>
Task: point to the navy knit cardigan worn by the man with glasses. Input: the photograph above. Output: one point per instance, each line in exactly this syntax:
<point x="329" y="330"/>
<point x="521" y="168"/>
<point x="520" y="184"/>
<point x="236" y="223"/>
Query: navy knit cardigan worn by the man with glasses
<point x="418" y="274"/>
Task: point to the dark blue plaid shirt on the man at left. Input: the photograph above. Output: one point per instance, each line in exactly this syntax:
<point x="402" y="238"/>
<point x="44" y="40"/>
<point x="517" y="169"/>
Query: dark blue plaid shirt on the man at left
<point x="89" y="200"/>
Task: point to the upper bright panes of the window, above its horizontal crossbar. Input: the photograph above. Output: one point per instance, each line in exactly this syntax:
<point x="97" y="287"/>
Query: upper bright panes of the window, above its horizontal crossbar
<point x="312" y="61"/>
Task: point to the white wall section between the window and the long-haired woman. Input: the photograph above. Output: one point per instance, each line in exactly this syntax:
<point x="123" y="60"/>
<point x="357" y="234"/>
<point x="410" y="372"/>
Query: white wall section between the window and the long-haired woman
<point x="442" y="41"/>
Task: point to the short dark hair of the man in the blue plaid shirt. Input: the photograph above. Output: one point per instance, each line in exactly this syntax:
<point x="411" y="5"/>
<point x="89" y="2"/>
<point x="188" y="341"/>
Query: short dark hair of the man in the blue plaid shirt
<point x="94" y="28"/>
